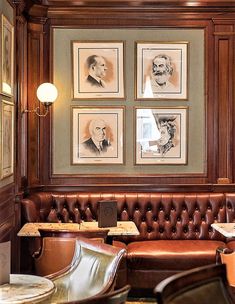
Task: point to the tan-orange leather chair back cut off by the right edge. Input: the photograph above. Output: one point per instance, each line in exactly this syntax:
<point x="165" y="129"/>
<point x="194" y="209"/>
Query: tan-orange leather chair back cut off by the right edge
<point x="227" y="257"/>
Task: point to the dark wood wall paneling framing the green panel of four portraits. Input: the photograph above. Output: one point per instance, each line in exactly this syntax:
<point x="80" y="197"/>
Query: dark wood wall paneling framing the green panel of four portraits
<point x="217" y="18"/>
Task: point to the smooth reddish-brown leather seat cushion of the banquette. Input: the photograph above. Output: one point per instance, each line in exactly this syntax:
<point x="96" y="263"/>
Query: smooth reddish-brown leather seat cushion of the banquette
<point x="171" y="254"/>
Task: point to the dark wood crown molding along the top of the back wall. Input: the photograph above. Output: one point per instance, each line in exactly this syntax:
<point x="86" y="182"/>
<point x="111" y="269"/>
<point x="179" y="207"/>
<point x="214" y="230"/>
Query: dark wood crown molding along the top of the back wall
<point x="164" y="10"/>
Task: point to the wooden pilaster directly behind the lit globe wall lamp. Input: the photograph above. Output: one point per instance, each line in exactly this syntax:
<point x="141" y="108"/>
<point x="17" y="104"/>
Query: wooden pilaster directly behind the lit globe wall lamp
<point x="37" y="69"/>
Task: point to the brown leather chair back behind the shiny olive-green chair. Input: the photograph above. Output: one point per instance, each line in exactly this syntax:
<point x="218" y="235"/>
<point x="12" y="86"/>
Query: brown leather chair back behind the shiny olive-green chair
<point x="57" y="248"/>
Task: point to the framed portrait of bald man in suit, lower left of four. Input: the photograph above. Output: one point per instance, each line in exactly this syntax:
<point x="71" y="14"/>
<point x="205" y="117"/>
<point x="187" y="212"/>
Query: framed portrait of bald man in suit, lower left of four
<point x="97" y="135"/>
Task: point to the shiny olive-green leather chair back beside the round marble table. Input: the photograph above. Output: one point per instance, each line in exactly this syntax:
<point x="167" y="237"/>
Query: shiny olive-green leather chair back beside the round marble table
<point x="92" y="271"/>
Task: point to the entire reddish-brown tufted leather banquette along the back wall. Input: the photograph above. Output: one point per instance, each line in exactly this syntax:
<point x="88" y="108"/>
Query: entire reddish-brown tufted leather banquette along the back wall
<point x="175" y="228"/>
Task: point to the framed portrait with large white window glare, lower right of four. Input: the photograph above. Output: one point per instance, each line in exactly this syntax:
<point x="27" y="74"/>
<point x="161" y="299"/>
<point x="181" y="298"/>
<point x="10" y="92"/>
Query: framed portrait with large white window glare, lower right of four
<point x="161" y="135"/>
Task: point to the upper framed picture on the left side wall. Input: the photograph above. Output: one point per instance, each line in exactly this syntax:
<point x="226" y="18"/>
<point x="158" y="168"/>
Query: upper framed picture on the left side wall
<point x="7" y="40"/>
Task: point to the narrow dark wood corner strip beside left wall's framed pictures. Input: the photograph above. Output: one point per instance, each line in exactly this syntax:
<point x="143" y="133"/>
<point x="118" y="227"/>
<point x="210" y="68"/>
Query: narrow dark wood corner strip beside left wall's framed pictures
<point x="21" y="131"/>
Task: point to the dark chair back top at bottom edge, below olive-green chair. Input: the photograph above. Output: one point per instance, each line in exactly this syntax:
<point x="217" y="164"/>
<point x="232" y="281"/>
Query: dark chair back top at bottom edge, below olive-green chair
<point x="118" y="296"/>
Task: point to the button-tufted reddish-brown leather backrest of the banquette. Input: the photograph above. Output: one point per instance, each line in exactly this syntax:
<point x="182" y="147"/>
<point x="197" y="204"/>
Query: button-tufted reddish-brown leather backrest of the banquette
<point x="157" y="215"/>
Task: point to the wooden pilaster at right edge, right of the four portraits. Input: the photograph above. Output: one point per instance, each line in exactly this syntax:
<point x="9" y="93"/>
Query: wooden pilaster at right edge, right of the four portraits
<point x="224" y="84"/>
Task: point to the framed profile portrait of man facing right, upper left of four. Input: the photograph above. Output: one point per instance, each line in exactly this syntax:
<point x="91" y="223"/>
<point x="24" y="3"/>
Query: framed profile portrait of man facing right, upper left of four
<point x="98" y="69"/>
